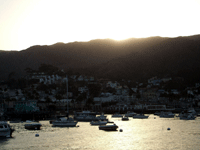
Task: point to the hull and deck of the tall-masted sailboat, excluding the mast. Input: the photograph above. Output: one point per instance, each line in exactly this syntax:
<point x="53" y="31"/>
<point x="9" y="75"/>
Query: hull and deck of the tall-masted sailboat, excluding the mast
<point x="64" y="122"/>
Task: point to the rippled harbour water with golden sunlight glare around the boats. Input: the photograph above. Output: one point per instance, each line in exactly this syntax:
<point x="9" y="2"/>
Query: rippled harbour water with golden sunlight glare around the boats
<point x="138" y="134"/>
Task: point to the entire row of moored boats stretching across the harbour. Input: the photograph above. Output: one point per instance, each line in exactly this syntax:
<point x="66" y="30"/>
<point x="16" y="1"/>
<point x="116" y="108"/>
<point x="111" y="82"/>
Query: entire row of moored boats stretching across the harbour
<point x="104" y="124"/>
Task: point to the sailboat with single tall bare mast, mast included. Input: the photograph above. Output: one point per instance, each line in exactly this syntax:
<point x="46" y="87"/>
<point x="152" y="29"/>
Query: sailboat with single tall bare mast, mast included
<point x="65" y="121"/>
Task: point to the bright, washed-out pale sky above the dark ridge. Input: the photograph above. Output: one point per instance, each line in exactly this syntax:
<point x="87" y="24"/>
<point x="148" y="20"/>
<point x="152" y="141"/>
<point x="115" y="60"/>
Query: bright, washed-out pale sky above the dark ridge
<point x="24" y="23"/>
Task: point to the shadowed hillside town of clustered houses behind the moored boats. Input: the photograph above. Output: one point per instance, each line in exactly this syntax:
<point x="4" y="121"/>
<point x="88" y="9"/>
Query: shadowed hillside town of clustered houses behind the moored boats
<point x="112" y="94"/>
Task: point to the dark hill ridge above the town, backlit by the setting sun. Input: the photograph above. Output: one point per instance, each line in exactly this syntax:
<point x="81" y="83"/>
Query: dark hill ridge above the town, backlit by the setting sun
<point x="130" y="59"/>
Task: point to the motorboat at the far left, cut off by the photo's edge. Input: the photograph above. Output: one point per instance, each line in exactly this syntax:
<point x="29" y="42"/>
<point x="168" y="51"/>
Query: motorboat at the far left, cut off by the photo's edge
<point x="5" y="129"/>
